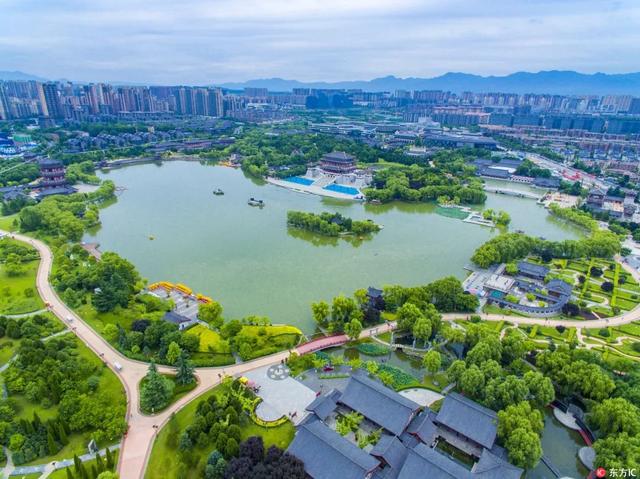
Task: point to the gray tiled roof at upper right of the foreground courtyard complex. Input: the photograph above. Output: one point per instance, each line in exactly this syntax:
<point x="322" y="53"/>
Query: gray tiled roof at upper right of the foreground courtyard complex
<point x="469" y="418"/>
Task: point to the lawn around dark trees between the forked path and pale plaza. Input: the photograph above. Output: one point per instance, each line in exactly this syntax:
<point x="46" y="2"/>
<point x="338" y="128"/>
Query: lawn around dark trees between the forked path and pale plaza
<point x="164" y="461"/>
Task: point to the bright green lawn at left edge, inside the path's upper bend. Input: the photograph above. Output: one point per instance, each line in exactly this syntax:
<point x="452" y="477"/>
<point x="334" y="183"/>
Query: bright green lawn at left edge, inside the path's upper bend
<point x="18" y="294"/>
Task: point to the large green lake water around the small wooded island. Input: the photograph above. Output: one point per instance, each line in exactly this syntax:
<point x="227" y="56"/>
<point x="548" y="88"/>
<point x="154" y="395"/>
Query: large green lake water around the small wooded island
<point x="249" y="260"/>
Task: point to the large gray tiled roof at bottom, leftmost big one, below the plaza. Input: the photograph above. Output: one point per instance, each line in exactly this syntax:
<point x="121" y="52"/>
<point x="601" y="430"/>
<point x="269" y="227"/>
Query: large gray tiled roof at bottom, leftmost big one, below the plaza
<point x="326" y="454"/>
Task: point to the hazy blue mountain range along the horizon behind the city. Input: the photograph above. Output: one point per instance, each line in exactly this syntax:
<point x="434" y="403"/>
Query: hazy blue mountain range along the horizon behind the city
<point x="554" y="82"/>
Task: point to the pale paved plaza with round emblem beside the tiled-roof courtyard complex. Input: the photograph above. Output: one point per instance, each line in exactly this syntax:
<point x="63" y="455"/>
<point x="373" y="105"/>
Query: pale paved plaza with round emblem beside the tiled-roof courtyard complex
<point x="281" y="394"/>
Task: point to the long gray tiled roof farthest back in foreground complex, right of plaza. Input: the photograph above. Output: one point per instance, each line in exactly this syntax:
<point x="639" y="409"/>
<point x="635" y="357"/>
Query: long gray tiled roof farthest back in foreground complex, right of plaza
<point x="378" y="403"/>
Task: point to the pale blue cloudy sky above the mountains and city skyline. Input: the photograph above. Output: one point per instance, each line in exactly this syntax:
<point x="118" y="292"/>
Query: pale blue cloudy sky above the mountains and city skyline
<point x="217" y="41"/>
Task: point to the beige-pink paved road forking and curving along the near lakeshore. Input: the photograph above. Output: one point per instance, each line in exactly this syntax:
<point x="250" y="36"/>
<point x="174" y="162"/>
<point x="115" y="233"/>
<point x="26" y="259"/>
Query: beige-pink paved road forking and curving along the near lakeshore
<point x="137" y="444"/>
